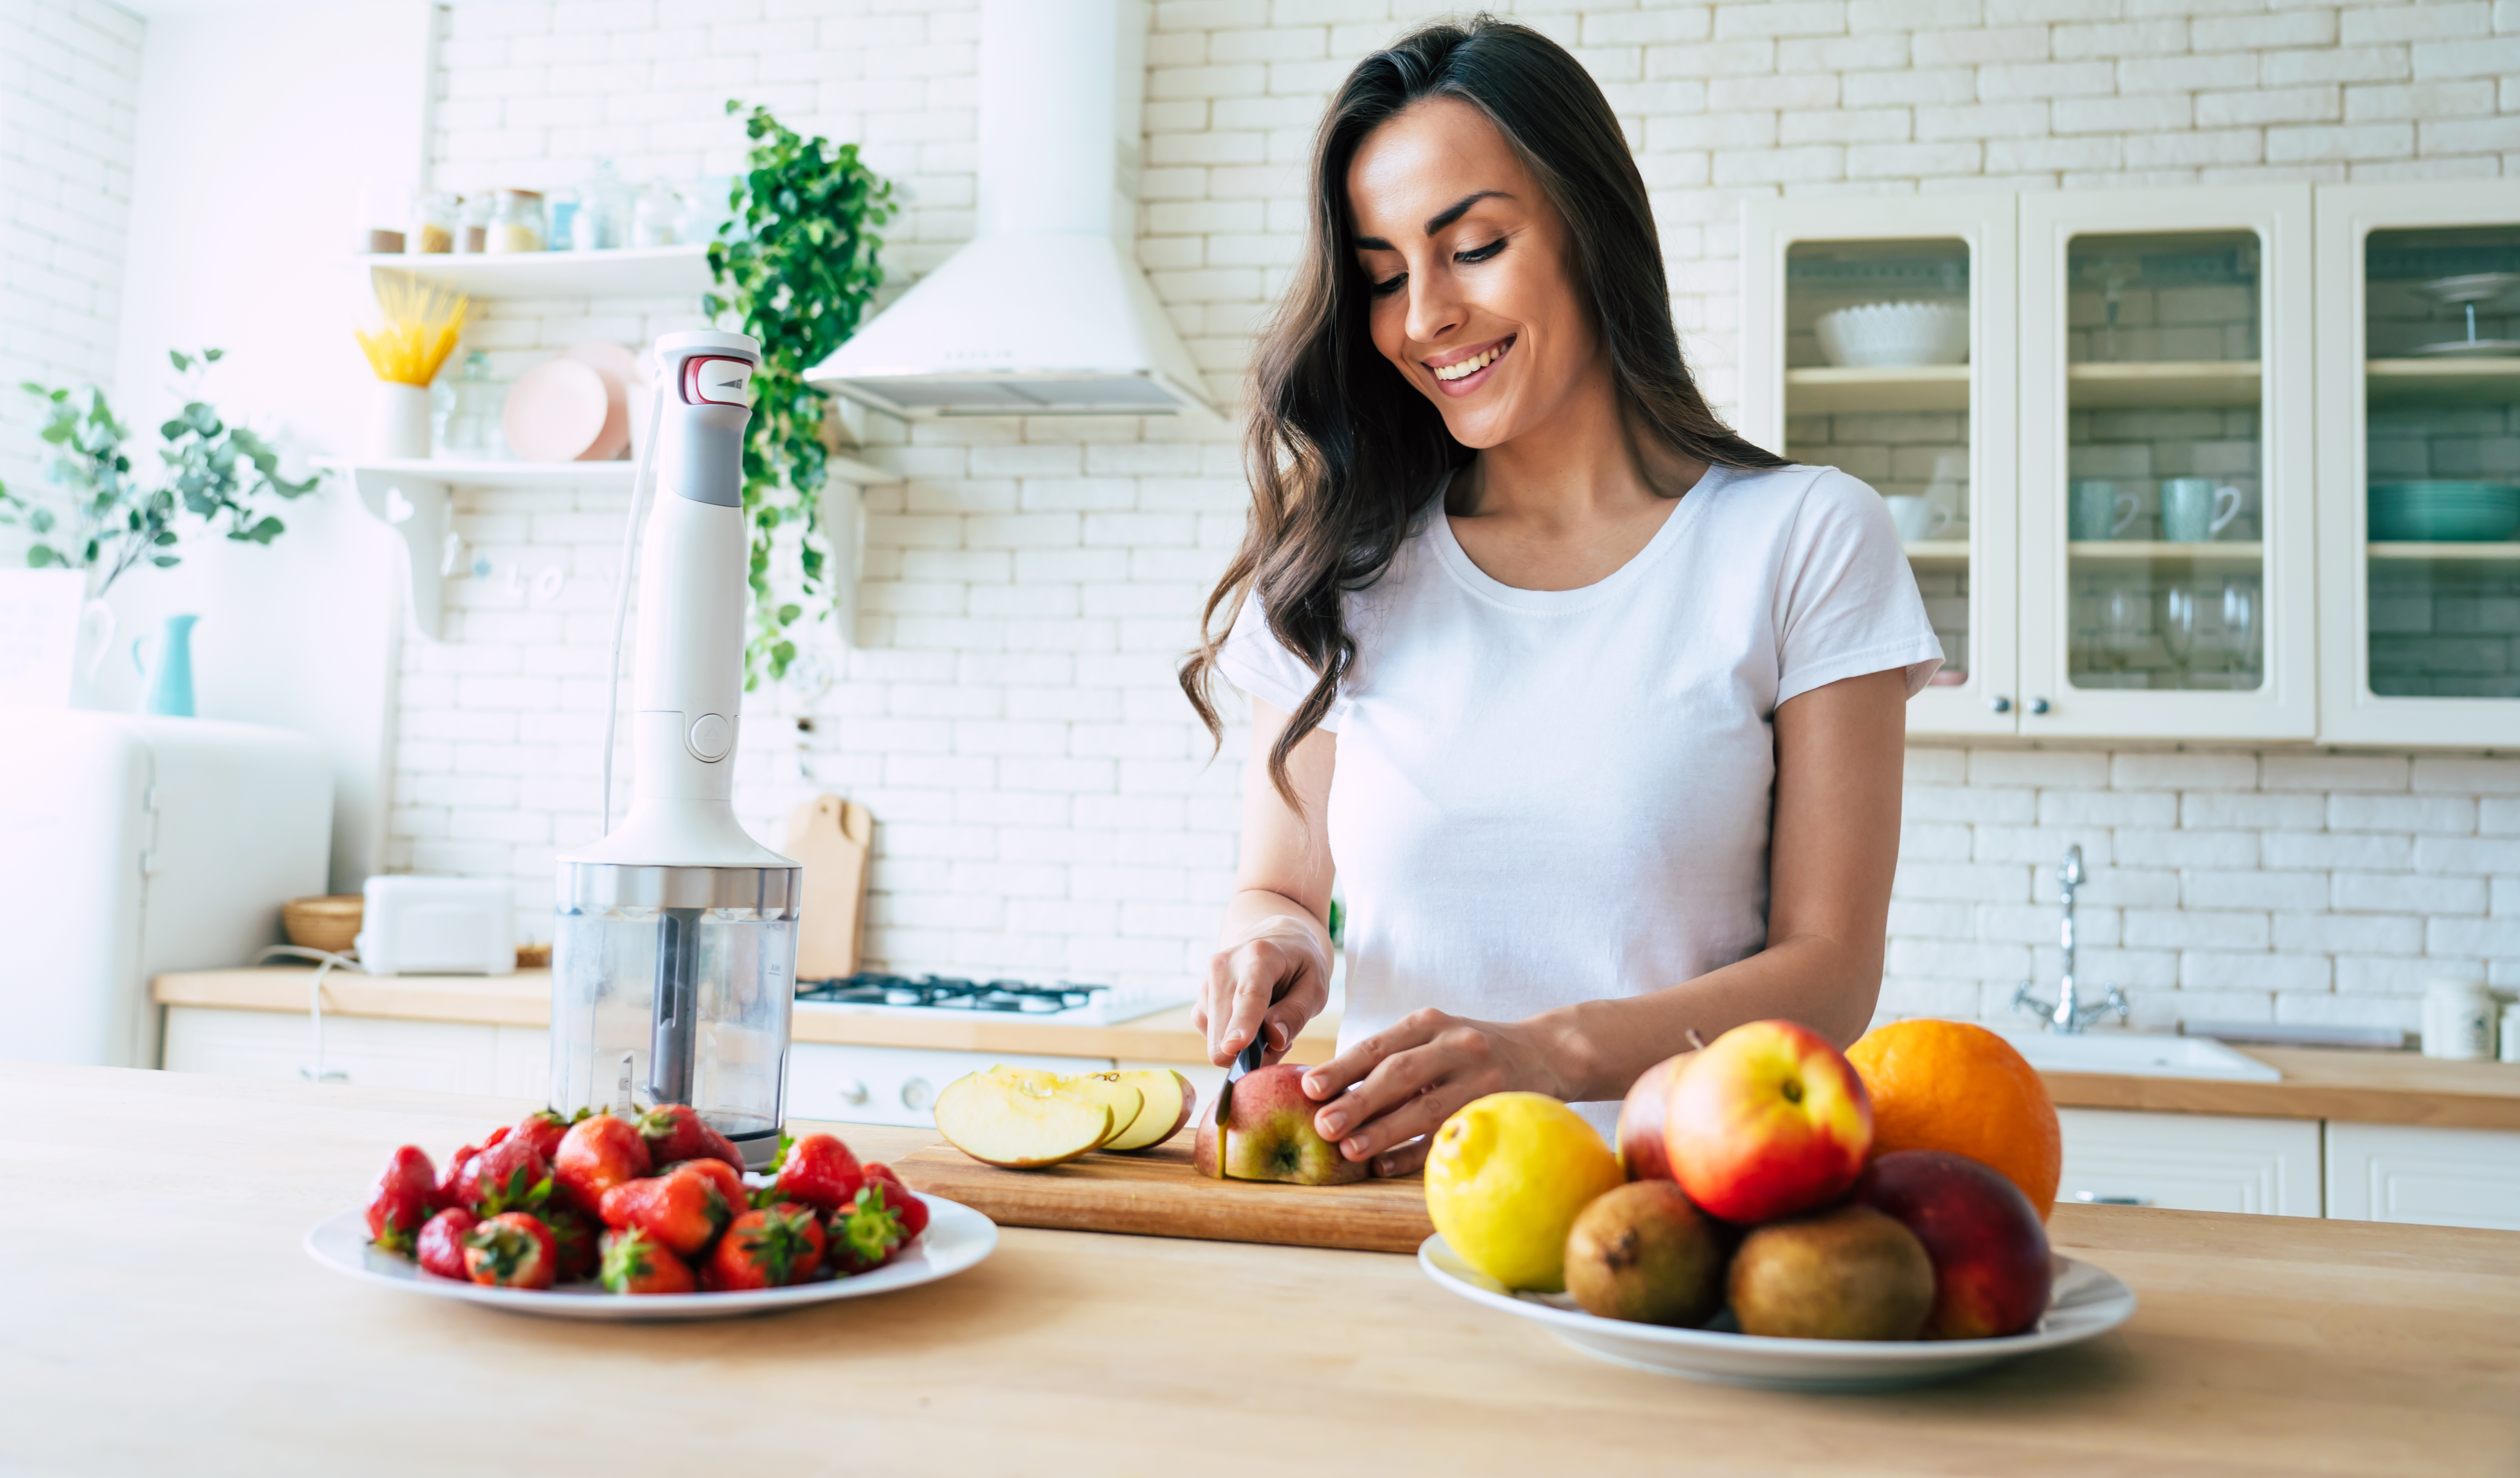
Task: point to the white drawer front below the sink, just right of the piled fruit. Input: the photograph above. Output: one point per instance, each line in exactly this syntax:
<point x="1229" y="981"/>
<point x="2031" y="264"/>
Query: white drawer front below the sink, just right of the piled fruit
<point x="2191" y="1161"/>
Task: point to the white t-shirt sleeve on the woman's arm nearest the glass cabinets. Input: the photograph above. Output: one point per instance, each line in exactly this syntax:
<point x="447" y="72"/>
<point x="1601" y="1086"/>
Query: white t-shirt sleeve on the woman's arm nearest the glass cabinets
<point x="1846" y="596"/>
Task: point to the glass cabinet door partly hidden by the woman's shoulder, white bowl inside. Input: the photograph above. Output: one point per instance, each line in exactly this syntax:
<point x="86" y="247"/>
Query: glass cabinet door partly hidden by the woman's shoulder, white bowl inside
<point x="1881" y="342"/>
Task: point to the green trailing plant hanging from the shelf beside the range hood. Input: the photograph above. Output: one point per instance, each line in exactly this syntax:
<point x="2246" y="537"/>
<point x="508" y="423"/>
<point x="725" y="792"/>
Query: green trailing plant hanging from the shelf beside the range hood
<point x="795" y="271"/>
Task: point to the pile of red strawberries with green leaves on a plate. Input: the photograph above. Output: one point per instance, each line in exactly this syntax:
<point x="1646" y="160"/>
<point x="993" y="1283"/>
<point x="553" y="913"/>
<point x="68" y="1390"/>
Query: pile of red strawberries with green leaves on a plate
<point x="649" y="1207"/>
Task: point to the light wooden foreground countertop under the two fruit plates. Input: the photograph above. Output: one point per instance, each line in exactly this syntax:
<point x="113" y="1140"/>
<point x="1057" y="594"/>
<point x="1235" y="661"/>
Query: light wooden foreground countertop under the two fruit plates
<point x="183" y="1328"/>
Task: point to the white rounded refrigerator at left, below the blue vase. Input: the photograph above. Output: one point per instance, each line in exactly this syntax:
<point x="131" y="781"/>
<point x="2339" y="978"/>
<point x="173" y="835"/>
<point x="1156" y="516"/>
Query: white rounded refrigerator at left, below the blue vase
<point x="132" y="846"/>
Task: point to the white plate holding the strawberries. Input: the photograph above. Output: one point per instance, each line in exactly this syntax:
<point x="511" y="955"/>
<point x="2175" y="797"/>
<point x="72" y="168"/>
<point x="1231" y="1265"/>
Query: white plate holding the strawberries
<point x="956" y="1240"/>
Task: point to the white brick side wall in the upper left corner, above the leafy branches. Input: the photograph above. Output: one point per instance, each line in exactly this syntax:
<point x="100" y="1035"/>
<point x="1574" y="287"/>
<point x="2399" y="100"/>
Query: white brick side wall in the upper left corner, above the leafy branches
<point x="69" y="79"/>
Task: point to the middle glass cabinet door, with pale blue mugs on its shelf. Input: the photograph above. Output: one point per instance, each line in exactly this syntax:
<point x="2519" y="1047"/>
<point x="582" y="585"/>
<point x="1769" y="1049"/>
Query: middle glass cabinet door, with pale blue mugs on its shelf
<point x="2166" y="473"/>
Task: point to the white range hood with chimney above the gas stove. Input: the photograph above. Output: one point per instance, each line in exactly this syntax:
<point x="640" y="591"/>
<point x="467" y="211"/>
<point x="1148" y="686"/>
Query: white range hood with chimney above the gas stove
<point x="1045" y="311"/>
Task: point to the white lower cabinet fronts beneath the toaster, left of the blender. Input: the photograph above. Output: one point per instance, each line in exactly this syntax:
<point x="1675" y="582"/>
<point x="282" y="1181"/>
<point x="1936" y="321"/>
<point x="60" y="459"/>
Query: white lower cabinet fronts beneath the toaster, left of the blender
<point x="367" y="1050"/>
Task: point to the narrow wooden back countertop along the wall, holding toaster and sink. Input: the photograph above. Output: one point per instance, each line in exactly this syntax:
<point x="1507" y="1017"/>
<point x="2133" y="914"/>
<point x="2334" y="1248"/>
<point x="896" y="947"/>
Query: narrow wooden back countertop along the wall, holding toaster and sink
<point x="2375" y="1088"/>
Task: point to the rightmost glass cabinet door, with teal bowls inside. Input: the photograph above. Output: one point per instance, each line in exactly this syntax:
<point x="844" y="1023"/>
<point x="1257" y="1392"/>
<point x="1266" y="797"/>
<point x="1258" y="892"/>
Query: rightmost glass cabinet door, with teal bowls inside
<point x="2423" y="463"/>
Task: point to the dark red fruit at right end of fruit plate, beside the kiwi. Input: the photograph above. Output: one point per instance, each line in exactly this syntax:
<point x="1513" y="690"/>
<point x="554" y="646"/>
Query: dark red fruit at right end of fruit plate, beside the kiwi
<point x="1990" y="1255"/>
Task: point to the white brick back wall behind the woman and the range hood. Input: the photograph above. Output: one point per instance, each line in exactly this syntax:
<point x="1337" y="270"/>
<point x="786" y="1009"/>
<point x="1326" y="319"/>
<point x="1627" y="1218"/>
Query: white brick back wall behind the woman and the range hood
<point x="1009" y="710"/>
